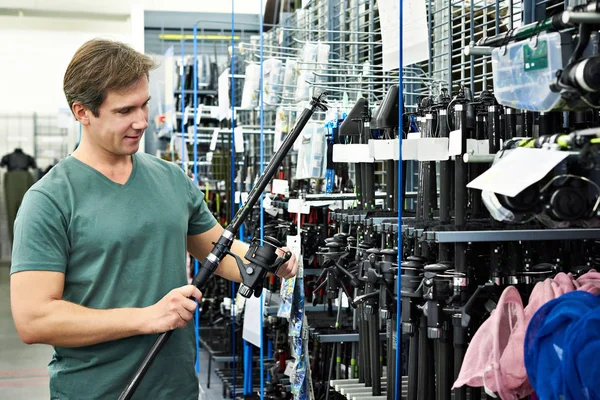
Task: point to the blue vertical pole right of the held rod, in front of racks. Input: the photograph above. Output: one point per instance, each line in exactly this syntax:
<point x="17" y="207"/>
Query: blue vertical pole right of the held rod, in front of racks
<point x="400" y="200"/>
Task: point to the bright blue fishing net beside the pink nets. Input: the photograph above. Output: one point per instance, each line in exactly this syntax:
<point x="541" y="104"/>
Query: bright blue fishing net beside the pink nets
<point x="562" y="348"/>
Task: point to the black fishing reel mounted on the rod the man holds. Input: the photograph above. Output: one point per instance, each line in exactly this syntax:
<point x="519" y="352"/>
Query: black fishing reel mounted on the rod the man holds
<point x="262" y="259"/>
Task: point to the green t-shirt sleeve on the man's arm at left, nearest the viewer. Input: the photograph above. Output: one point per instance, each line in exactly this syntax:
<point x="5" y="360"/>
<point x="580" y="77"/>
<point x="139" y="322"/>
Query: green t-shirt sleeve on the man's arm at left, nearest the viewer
<point x="40" y="236"/>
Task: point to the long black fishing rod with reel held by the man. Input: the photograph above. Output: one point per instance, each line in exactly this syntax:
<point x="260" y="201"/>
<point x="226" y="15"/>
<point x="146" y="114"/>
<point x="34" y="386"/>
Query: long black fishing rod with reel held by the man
<point x="261" y="255"/>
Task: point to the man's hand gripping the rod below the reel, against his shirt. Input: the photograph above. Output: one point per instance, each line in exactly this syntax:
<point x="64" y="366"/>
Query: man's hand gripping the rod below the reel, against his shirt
<point x="174" y="310"/>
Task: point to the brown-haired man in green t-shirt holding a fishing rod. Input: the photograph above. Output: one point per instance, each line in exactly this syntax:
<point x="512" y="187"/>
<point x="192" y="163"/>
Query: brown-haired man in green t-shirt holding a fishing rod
<point x="98" y="263"/>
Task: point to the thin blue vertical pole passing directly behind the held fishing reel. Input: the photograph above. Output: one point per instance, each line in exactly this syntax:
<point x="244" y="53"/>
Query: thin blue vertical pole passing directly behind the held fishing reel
<point x="262" y="168"/>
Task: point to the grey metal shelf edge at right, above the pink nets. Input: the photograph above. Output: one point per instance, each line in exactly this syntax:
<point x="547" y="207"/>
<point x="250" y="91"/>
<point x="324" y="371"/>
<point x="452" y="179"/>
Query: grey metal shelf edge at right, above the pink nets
<point x="514" y="235"/>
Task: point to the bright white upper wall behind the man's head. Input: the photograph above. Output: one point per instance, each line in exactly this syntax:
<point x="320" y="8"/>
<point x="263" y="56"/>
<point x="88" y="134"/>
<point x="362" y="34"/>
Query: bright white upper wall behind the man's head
<point x="34" y="54"/>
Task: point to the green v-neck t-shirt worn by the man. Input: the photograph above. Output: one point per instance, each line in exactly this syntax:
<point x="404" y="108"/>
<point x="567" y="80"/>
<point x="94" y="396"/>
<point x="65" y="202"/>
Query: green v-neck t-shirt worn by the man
<point x="119" y="246"/>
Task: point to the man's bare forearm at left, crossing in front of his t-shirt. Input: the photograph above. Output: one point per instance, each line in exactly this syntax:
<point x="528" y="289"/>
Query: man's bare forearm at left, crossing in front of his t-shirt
<point x="61" y="323"/>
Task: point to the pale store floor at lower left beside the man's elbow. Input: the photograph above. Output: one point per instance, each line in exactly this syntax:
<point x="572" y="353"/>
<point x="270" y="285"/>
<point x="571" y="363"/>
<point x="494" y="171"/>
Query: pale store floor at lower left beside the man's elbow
<point x="23" y="372"/>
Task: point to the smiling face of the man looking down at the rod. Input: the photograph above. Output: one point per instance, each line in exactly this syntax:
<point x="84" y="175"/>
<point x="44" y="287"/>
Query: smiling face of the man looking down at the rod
<point x="122" y="120"/>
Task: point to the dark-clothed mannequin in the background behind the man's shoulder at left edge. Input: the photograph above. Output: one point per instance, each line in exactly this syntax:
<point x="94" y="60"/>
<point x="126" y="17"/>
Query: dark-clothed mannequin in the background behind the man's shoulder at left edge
<point x="17" y="181"/>
